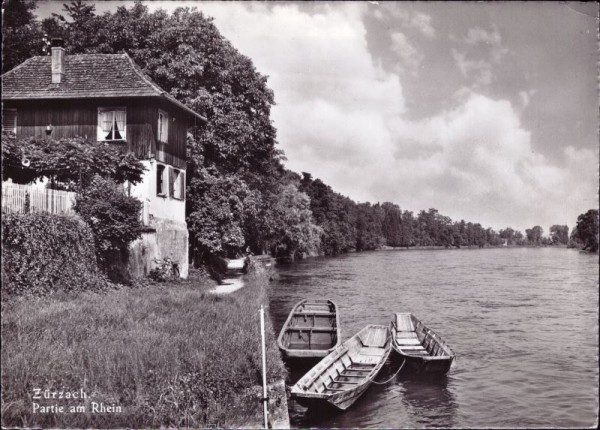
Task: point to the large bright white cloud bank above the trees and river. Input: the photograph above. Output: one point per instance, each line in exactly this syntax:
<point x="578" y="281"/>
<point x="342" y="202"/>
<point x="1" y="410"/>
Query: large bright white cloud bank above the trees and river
<point x="342" y="118"/>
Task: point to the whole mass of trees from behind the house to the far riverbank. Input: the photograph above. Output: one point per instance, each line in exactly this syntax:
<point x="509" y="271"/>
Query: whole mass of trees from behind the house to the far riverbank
<point x="239" y="195"/>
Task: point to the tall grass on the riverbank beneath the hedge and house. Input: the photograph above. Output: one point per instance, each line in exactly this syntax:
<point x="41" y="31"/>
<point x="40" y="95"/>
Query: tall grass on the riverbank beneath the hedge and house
<point x="167" y="355"/>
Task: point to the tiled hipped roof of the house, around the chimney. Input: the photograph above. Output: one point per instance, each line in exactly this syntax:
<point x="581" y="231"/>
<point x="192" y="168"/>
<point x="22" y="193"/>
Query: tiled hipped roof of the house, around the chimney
<point x="86" y="76"/>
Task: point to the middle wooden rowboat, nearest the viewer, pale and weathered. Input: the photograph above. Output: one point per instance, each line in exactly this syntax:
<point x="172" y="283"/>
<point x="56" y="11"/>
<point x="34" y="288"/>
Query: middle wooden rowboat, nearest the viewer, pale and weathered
<point x="345" y="374"/>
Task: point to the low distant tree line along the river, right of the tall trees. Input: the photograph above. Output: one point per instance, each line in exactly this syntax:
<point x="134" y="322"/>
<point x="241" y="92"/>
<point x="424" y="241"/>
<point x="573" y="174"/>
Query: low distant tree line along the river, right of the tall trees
<point x="348" y="226"/>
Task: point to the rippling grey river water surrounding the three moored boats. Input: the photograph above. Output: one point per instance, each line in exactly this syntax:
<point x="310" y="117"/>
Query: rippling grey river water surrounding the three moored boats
<point x="523" y="323"/>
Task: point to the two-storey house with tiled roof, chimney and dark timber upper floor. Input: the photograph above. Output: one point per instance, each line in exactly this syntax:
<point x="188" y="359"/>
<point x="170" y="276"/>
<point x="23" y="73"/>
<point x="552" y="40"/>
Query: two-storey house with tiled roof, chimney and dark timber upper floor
<point x="108" y="98"/>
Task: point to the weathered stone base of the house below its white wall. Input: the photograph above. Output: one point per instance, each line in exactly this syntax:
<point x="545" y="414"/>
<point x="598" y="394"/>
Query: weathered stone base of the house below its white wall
<point x="168" y="239"/>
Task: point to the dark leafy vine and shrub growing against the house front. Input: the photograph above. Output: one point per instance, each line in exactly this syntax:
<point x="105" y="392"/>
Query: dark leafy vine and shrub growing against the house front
<point x="95" y="170"/>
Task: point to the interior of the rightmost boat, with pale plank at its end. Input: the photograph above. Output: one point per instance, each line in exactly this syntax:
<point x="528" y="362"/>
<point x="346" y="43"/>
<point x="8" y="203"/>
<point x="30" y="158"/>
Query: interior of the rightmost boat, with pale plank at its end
<point x="414" y="339"/>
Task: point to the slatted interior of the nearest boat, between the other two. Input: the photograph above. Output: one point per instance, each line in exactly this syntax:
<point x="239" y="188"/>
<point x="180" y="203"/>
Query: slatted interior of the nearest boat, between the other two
<point x="349" y="364"/>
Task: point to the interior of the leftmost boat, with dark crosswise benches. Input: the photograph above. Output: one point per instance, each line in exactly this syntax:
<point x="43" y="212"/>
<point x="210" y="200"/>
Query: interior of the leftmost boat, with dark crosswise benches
<point x="313" y="325"/>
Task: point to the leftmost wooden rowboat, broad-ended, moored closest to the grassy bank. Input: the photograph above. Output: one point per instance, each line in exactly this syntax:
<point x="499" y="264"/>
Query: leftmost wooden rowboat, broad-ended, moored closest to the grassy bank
<point x="312" y="330"/>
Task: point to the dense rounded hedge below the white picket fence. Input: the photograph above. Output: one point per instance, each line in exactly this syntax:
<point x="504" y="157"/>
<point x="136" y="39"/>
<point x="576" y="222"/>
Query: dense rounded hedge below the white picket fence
<point x="45" y="253"/>
